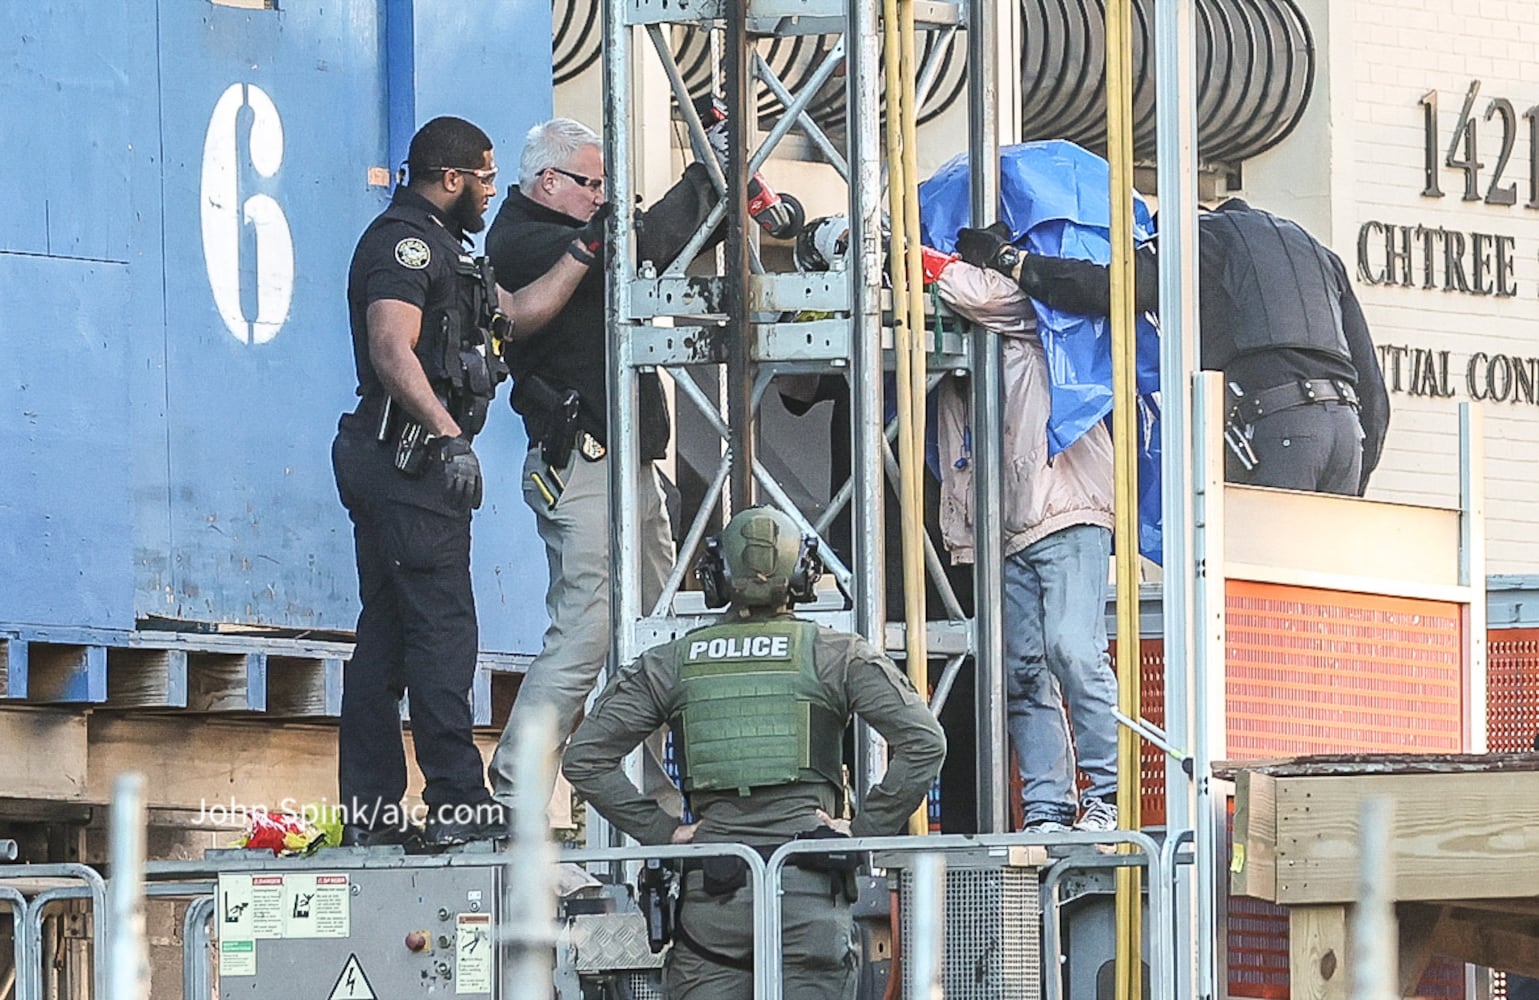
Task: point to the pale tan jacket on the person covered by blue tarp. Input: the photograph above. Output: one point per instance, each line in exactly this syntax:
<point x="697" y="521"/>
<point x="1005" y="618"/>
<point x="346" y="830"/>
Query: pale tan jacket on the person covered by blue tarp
<point x="1041" y="496"/>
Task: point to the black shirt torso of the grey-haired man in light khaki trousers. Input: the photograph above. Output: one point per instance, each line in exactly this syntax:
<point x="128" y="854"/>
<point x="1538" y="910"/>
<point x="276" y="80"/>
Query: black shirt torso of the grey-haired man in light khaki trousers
<point x="524" y="242"/>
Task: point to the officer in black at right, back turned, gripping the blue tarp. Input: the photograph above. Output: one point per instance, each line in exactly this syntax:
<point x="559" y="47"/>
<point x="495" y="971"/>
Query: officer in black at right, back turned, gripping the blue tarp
<point x="1280" y="319"/>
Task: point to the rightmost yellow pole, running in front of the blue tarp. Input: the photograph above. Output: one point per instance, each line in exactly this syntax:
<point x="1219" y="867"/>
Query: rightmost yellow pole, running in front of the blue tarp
<point x="1126" y="479"/>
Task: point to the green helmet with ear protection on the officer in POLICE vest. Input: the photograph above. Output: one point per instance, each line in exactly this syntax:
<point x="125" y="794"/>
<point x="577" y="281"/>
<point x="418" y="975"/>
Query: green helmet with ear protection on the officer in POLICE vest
<point x="761" y="561"/>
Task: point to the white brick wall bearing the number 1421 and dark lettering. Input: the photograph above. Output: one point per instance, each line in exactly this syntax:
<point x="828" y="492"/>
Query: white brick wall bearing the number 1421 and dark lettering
<point x="1384" y="56"/>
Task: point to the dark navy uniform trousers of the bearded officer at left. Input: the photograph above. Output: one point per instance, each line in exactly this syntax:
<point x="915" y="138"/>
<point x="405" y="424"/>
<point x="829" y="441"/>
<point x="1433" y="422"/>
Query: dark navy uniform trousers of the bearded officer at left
<point x="416" y="633"/>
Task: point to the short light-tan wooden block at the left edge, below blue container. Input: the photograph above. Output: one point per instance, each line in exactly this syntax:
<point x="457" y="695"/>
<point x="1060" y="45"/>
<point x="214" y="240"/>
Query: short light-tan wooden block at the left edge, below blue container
<point x="45" y="755"/>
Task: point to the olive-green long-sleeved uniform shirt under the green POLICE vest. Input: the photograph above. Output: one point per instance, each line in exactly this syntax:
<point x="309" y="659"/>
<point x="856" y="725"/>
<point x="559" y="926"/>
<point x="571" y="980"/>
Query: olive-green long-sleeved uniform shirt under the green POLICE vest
<point x="858" y="678"/>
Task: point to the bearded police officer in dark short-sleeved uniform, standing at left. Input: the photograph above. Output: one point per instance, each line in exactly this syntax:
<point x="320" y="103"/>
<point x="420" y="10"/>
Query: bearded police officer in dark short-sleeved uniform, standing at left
<point x="429" y="325"/>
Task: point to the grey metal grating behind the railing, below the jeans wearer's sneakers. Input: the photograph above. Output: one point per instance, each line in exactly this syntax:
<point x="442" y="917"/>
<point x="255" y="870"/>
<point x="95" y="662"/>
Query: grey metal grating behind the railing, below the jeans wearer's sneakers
<point x="993" y="933"/>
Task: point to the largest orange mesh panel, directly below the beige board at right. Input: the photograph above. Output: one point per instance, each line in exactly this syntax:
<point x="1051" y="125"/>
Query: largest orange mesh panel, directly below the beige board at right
<point x="1317" y="672"/>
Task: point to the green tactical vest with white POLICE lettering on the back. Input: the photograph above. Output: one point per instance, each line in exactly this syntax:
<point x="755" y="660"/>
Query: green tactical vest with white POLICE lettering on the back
<point x="753" y="713"/>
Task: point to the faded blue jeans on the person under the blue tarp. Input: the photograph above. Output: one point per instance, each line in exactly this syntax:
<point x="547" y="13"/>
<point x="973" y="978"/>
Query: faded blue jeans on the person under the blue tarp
<point x="1057" y="648"/>
